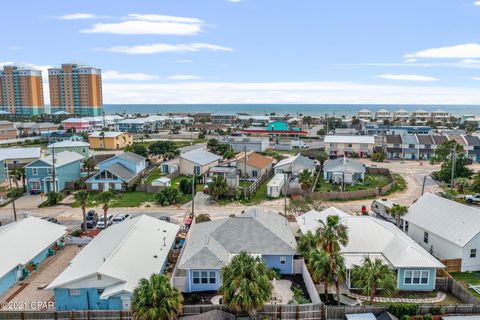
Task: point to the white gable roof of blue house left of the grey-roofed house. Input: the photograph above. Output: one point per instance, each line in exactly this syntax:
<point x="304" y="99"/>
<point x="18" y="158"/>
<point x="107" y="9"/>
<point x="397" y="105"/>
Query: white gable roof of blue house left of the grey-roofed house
<point x="111" y="254"/>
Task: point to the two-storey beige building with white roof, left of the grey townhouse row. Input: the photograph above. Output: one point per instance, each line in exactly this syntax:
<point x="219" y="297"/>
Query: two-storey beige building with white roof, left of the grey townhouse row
<point x="346" y="145"/>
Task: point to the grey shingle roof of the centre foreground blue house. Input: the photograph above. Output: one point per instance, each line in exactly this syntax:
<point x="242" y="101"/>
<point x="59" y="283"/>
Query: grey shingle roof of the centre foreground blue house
<point x="211" y="244"/>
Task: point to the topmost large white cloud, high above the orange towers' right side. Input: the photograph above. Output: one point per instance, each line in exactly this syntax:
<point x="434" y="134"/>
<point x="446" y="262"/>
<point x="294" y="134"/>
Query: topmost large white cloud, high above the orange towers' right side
<point x="136" y="23"/>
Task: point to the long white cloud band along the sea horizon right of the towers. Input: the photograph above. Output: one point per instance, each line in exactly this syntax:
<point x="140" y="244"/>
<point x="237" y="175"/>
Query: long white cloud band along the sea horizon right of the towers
<point x="287" y="92"/>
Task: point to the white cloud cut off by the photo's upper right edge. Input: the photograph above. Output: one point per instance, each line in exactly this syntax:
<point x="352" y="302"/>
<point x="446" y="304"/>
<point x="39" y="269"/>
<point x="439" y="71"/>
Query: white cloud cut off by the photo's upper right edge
<point x="461" y="51"/>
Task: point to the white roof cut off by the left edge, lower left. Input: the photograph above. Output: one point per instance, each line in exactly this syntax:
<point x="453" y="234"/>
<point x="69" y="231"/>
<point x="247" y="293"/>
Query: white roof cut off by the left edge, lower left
<point x="31" y="236"/>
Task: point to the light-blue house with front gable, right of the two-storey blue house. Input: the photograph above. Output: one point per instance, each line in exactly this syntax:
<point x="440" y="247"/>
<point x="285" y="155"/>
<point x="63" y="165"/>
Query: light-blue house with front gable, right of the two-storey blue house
<point x="118" y="172"/>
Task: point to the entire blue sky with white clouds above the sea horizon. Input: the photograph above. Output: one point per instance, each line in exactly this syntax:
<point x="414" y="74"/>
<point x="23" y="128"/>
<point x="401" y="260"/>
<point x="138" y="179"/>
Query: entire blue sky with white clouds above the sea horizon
<point x="257" y="51"/>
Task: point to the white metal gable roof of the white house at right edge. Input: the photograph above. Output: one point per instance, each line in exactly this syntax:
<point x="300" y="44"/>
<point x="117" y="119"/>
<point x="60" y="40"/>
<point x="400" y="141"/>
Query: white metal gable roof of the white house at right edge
<point x="450" y="220"/>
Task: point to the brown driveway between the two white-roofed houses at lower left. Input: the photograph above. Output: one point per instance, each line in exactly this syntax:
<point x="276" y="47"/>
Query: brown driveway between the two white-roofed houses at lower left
<point x="33" y="296"/>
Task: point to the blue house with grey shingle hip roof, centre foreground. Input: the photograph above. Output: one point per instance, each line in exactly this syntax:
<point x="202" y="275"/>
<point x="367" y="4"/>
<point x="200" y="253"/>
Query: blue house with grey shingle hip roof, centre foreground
<point x="211" y="245"/>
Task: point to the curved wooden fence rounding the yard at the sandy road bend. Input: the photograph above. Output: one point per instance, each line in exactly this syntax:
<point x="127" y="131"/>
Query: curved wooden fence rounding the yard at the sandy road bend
<point x="360" y="193"/>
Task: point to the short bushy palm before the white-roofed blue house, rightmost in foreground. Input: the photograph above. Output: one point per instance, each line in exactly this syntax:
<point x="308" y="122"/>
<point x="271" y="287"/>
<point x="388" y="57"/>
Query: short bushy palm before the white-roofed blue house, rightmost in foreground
<point x="373" y="276"/>
